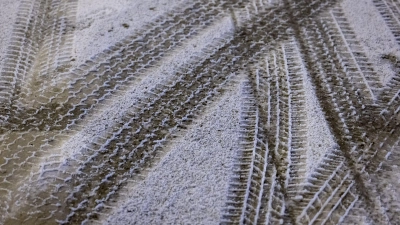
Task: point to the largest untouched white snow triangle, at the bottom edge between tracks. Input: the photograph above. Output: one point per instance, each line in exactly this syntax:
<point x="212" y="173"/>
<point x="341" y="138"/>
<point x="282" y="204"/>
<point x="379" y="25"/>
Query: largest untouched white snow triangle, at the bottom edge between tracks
<point x="189" y="185"/>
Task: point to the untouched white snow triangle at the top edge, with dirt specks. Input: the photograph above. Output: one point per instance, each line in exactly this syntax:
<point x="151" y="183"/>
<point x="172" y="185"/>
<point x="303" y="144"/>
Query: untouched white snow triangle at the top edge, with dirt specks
<point x="102" y="24"/>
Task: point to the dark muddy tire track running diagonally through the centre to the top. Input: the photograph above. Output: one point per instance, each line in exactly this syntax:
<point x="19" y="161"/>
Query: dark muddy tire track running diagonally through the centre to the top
<point x="204" y="78"/>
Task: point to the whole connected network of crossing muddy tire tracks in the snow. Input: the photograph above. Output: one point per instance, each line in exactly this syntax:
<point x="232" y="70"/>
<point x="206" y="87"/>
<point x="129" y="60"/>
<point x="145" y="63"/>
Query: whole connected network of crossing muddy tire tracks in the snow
<point x="276" y="44"/>
